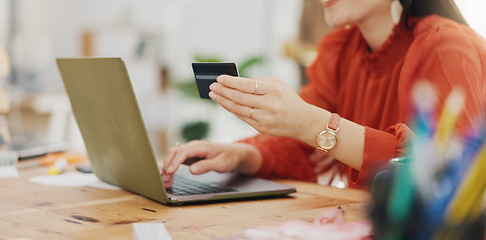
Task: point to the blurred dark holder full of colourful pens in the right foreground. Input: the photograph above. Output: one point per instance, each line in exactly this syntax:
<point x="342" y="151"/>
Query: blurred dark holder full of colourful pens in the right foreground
<point x="436" y="191"/>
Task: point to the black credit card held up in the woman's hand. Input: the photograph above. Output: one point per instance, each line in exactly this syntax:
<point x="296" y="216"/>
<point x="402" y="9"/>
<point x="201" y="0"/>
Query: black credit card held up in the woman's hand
<point x="206" y="74"/>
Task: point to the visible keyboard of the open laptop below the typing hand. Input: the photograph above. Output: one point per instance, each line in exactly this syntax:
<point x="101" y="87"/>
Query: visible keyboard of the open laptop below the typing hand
<point x="183" y="186"/>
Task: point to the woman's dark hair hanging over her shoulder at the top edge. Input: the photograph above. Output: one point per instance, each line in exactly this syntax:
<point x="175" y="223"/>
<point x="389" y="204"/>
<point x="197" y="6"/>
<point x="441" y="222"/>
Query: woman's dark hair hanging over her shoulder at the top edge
<point x="418" y="8"/>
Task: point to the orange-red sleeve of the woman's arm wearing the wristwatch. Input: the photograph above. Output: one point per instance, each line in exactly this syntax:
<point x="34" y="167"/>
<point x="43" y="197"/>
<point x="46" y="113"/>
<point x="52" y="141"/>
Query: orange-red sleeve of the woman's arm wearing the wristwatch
<point x="448" y="55"/>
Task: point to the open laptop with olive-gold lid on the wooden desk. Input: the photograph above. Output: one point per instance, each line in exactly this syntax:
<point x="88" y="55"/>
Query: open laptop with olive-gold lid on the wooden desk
<point x="106" y="109"/>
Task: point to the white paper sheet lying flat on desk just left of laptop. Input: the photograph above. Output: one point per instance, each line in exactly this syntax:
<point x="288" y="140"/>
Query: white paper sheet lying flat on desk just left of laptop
<point x="73" y="179"/>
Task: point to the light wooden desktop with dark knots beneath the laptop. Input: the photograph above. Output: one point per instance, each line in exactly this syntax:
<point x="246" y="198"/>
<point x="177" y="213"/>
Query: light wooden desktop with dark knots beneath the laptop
<point x="32" y="211"/>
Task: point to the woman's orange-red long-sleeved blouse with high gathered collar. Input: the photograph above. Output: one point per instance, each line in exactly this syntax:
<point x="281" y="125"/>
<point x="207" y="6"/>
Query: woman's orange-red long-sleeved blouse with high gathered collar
<point x="373" y="89"/>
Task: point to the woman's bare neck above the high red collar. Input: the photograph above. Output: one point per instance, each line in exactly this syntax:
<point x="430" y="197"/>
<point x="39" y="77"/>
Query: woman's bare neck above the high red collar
<point x="376" y="30"/>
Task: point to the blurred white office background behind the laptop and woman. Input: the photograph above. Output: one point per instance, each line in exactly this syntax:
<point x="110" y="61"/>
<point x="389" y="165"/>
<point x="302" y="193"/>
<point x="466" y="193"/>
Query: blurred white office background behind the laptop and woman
<point x="158" y="39"/>
